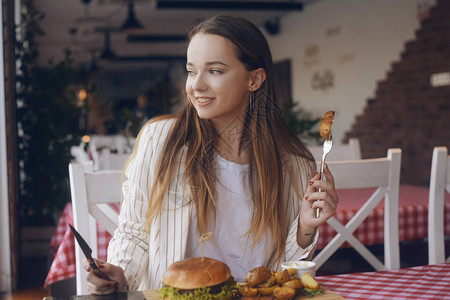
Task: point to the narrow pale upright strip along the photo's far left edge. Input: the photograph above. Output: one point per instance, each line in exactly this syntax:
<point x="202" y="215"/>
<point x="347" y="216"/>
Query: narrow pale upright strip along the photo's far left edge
<point x="5" y="253"/>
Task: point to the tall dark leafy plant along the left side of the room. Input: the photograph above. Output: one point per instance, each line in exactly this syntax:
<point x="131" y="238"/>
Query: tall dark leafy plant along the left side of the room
<point x="47" y="120"/>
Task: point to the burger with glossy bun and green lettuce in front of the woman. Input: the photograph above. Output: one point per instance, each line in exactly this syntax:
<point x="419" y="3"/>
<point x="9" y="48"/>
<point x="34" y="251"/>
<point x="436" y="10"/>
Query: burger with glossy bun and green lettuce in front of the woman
<point x="197" y="278"/>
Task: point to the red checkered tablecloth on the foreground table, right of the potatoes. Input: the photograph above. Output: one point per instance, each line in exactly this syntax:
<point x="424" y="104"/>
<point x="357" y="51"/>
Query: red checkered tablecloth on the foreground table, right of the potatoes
<point x="423" y="282"/>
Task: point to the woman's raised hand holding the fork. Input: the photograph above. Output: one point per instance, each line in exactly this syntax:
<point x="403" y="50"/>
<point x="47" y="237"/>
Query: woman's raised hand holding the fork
<point x="326" y="200"/>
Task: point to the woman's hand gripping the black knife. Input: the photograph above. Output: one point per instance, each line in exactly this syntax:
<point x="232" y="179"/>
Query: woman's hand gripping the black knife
<point x="113" y="280"/>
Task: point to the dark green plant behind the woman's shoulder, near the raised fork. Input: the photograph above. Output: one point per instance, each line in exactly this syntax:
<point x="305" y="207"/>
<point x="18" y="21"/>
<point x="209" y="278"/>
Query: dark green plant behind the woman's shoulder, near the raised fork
<point x="301" y="122"/>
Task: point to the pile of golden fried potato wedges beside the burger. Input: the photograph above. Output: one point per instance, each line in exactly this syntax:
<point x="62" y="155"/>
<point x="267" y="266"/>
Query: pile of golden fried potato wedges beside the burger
<point x="283" y="285"/>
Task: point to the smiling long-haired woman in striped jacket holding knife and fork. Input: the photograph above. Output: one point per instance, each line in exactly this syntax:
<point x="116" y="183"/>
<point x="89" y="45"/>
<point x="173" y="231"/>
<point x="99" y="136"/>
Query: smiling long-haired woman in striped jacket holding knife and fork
<point x="226" y="164"/>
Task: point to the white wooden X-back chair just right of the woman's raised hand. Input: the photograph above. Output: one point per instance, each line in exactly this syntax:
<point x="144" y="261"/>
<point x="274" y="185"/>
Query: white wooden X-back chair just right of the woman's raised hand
<point x="384" y="174"/>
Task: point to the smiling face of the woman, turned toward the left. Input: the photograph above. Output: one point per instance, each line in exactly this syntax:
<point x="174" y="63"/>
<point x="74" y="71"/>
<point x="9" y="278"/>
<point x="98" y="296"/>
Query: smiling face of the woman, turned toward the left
<point x="218" y="85"/>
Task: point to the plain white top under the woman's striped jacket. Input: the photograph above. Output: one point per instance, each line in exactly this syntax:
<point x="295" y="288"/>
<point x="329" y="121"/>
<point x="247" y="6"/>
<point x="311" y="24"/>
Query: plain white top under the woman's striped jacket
<point x="229" y="243"/>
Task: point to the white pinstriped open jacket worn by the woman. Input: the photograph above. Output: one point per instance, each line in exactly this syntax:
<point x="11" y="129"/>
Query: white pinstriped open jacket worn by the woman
<point x="143" y="255"/>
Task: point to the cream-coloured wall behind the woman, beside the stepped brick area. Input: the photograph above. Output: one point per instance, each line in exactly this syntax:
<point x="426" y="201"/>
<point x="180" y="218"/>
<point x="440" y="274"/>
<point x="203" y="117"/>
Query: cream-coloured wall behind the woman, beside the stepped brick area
<point x="356" y="40"/>
